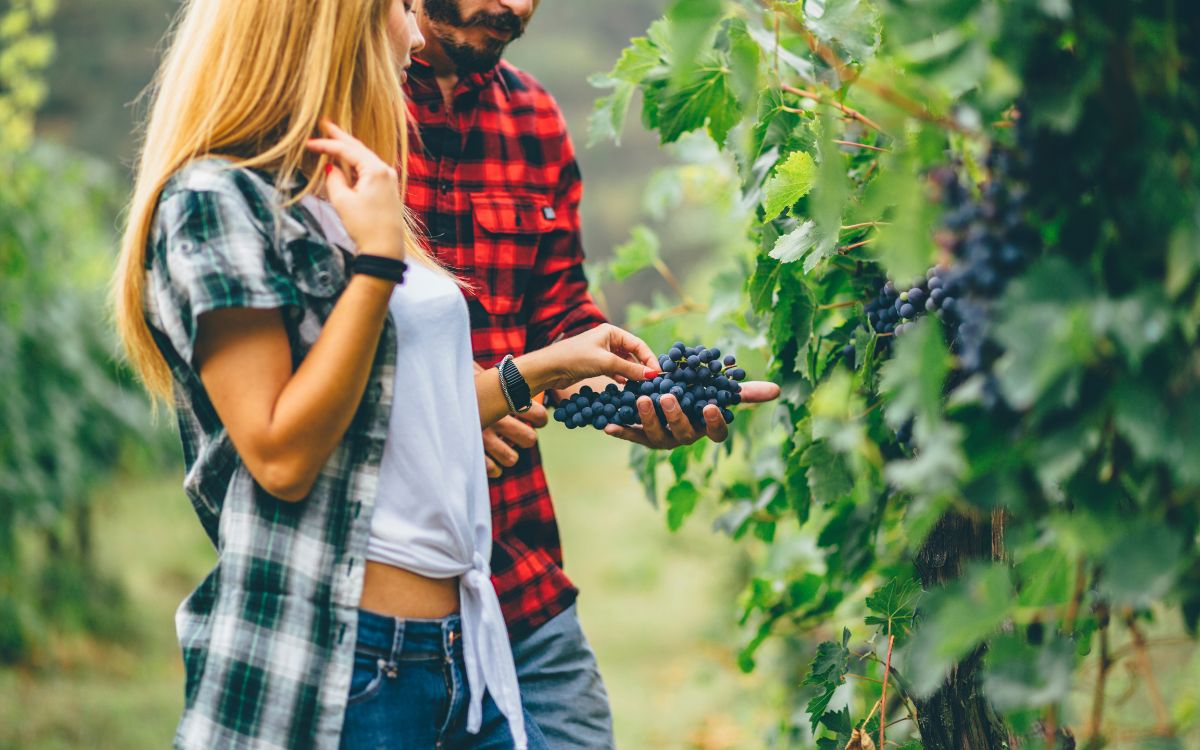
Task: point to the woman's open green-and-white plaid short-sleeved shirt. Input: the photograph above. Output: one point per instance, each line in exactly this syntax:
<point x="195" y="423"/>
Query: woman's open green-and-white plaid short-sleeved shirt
<point x="268" y="637"/>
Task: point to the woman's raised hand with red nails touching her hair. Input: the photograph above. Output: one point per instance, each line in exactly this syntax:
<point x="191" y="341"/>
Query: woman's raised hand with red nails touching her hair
<point x="365" y="191"/>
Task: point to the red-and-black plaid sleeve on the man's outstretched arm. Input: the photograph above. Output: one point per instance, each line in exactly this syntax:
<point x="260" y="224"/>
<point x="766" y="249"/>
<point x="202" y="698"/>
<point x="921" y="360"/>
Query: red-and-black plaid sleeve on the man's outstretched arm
<point x="559" y="296"/>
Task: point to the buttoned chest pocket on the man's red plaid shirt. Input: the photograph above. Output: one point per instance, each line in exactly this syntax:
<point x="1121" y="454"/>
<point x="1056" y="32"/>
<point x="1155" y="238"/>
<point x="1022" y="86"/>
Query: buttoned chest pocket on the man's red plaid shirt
<point x="509" y="229"/>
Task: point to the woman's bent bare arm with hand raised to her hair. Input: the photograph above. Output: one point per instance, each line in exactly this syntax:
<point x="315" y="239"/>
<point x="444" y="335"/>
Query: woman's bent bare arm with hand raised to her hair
<point x="285" y="424"/>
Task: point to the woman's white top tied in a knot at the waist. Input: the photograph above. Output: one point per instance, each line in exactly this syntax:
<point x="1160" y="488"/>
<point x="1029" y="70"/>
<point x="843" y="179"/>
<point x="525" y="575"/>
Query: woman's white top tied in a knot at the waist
<point x="434" y="514"/>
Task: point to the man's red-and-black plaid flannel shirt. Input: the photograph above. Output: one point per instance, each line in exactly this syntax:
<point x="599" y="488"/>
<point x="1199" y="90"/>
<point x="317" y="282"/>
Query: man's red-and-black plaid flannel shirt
<point x="496" y="185"/>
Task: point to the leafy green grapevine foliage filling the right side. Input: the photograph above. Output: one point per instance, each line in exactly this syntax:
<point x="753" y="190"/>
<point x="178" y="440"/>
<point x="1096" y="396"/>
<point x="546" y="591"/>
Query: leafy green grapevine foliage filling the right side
<point x="824" y="118"/>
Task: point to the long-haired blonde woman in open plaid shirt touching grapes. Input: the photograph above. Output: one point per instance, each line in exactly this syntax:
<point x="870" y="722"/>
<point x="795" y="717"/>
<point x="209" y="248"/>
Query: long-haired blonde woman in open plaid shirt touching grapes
<point x="326" y="393"/>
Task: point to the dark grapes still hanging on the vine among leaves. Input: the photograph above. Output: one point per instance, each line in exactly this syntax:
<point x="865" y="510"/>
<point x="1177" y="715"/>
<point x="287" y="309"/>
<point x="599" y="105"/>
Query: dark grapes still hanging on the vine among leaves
<point x="989" y="243"/>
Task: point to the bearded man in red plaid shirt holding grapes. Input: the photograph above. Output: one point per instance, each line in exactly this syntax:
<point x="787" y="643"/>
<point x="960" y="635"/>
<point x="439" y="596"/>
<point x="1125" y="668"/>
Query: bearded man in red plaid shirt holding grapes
<point x="495" y="182"/>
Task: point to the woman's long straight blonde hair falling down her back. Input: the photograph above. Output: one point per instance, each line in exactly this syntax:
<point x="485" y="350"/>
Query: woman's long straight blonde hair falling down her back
<point x="251" y="80"/>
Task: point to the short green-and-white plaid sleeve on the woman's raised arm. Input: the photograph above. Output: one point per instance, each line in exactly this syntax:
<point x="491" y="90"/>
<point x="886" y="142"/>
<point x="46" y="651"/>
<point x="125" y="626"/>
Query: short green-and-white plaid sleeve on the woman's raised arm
<point x="213" y="251"/>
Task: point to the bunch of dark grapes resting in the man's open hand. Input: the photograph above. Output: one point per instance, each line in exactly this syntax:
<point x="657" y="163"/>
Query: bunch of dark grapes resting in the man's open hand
<point x="695" y="376"/>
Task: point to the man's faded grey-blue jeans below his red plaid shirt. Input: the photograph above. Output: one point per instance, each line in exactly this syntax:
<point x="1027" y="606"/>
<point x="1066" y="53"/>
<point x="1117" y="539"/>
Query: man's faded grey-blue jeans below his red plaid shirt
<point x="561" y="686"/>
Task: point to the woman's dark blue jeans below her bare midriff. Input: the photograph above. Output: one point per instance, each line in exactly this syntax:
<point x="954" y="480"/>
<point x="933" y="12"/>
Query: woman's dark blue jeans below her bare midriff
<point x="410" y="691"/>
